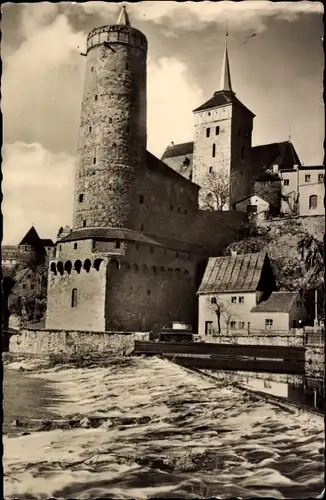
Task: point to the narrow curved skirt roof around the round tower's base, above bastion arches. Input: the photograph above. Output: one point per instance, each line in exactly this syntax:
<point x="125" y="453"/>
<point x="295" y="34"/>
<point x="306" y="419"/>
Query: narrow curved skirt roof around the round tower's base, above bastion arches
<point x="114" y="233"/>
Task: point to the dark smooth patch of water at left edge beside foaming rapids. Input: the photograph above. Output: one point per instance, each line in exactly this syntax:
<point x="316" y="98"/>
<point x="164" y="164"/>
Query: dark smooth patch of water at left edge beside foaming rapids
<point x="25" y="397"/>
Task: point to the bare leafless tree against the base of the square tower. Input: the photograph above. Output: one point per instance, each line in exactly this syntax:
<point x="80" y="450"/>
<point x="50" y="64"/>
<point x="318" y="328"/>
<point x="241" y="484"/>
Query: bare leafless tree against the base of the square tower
<point x="215" y="191"/>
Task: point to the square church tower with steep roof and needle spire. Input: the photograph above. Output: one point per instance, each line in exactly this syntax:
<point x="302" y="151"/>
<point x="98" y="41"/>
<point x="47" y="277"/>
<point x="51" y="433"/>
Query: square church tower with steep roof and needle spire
<point x="222" y="146"/>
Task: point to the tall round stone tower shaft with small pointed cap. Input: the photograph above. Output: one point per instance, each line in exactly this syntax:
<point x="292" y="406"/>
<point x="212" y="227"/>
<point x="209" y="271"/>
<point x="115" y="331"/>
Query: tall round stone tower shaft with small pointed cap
<point x="112" y="137"/>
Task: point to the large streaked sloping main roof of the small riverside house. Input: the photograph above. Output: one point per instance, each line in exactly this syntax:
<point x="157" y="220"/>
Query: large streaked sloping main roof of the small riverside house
<point x="240" y="273"/>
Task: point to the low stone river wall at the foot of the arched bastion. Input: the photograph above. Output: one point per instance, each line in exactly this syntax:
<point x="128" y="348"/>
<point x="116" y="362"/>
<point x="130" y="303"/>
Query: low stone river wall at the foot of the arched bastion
<point x="47" y="341"/>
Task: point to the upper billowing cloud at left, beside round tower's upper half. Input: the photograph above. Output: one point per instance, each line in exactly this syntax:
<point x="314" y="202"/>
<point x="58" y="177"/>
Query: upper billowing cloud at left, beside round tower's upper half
<point x="42" y="84"/>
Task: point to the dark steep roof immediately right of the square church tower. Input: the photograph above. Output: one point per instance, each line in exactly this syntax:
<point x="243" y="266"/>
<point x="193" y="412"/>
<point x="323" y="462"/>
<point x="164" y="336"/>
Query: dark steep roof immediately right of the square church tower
<point x="282" y="154"/>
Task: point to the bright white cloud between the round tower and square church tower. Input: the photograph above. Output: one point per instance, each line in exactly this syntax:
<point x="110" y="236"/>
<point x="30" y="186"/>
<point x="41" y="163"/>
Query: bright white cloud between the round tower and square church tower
<point x="171" y="99"/>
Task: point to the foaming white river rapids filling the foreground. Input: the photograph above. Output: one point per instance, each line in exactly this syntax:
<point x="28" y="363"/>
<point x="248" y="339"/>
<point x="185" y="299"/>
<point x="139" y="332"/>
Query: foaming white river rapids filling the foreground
<point x="143" y="428"/>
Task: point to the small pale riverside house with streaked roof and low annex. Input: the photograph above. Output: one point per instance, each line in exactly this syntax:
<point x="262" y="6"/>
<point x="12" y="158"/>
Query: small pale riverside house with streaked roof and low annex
<point x="238" y="294"/>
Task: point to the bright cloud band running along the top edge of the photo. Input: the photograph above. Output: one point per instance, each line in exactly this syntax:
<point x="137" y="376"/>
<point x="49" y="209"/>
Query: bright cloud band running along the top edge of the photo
<point x="196" y="15"/>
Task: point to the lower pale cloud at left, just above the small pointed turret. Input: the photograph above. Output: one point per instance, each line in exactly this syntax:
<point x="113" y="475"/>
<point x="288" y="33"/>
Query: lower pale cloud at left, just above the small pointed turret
<point x="37" y="189"/>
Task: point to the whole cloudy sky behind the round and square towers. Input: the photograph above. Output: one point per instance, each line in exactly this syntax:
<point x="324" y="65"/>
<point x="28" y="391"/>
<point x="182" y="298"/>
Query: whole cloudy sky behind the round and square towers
<point x="278" y="74"/>
